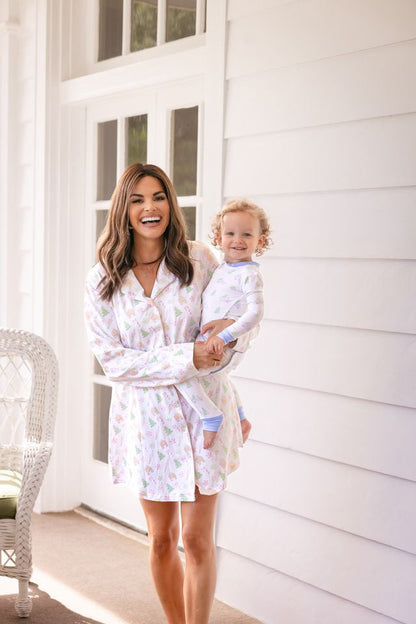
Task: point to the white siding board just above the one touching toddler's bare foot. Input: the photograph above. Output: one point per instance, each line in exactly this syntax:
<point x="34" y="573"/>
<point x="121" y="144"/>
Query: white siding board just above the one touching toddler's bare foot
<point x="377" y="366"/>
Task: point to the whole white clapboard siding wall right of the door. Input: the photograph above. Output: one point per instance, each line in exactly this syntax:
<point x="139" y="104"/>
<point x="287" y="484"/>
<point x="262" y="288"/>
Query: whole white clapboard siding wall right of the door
<point x="317" y="525"/>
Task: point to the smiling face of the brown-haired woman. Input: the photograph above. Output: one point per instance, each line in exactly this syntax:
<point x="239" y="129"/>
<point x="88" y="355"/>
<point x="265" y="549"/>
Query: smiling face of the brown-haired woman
<point x="148" y="209"/>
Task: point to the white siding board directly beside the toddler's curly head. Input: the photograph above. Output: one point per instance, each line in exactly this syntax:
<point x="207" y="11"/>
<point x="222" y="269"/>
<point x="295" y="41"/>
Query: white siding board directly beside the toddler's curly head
<point x="349" y="224"/>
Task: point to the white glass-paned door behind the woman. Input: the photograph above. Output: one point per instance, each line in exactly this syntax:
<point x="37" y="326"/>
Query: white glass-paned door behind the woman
<point x="160" y="125"/>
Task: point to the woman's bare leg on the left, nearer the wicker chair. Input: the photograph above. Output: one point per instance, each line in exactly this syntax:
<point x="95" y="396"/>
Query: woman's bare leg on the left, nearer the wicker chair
<point x="165" y="564"/>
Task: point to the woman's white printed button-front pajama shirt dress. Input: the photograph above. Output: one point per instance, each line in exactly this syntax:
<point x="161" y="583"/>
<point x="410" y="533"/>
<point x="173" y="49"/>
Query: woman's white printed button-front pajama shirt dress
<point x="145" y="347"/>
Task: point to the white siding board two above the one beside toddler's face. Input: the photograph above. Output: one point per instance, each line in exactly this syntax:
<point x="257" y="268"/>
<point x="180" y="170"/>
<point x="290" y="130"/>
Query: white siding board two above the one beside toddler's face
<point x="336" y="90"/>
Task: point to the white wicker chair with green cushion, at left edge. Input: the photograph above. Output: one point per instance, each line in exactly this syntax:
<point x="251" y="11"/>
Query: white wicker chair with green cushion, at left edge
<point x="28" y="395"/>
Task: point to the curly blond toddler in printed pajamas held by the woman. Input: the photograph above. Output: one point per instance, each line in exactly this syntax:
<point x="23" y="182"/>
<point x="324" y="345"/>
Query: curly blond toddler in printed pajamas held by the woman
<point x="232" y="303"/>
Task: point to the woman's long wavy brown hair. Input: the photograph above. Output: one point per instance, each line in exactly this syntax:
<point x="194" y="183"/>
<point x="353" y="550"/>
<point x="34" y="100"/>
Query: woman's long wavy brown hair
<point x="115" y="245"/>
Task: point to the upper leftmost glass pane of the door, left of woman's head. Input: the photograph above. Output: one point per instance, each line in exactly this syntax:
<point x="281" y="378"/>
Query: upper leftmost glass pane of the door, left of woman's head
<point x="106" y="159"/>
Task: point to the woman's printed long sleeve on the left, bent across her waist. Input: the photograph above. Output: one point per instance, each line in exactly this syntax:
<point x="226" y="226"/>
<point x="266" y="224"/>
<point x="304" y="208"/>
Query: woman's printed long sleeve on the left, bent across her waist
<point x="160" y="366"/>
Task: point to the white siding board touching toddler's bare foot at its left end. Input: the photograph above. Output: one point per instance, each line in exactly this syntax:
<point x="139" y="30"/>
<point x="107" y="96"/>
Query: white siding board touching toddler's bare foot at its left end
<point x="367" y="434"/>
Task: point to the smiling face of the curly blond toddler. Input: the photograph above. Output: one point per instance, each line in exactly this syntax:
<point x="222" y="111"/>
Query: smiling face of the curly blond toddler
<point x="240" y="236"/>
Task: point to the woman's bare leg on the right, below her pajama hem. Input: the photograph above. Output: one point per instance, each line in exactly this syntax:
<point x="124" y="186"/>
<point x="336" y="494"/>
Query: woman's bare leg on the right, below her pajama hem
<point x="200" y="572"/>
